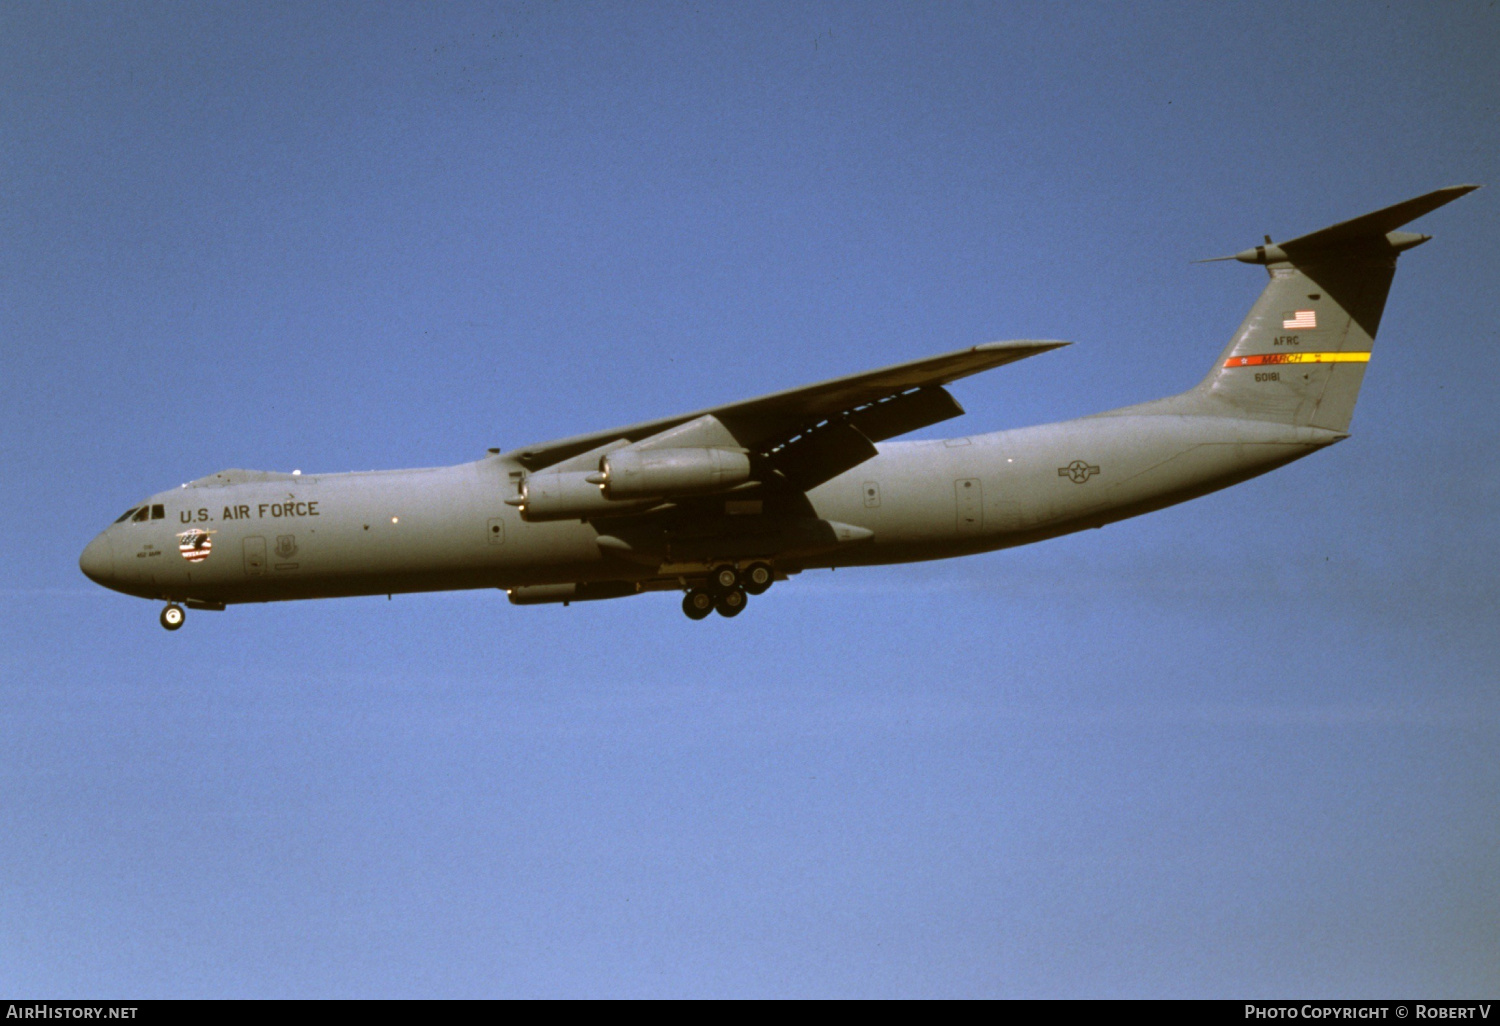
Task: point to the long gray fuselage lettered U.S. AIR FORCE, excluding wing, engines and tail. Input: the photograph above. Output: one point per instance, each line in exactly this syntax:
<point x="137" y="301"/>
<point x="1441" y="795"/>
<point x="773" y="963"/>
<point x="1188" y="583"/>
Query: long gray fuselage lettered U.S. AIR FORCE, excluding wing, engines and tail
<point x="443" y="529"/>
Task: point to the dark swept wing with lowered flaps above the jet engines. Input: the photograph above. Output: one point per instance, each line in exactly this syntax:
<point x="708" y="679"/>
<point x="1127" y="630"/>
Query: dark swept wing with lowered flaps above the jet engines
<point x="808" y="431"/>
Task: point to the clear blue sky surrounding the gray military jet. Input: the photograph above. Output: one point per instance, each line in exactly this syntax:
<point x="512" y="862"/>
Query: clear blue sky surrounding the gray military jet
<point x="1247" y="746"/>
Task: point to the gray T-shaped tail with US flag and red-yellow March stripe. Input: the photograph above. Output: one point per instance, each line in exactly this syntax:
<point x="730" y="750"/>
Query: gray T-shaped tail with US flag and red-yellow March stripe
<point x="1300" y="358"/>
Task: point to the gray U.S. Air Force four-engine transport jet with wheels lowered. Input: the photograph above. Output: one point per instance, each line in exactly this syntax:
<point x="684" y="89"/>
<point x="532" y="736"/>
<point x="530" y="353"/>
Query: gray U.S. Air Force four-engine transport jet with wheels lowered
<point x="724" y="503"/>
